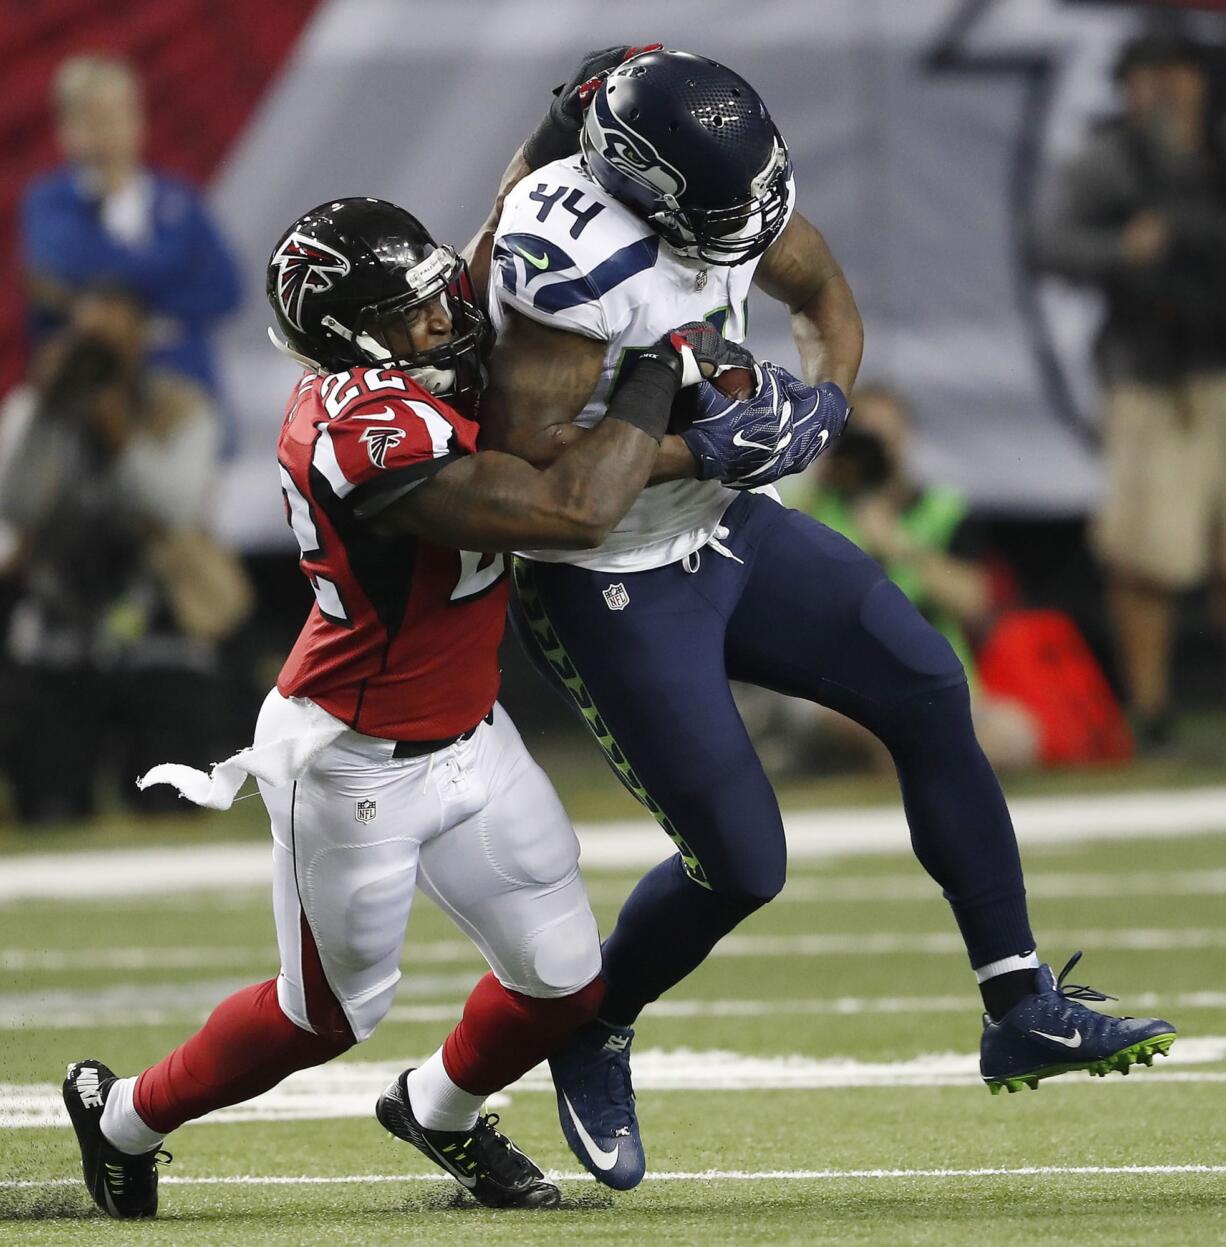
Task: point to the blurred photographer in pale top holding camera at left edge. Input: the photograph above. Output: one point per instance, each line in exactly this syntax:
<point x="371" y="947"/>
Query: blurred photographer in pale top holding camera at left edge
<point x="107" y="473"/>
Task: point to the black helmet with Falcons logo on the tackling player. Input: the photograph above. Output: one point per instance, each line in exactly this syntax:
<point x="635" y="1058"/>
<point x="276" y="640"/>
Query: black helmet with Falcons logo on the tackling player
<point x="347" y="267"/>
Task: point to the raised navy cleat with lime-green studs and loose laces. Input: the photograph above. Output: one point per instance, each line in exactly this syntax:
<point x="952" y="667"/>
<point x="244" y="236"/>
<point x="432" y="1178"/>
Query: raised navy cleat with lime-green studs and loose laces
<point x="1053" y="1033"/>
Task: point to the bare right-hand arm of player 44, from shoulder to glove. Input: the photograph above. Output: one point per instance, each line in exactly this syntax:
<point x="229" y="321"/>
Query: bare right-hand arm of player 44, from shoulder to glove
<point x="800" y="271"/>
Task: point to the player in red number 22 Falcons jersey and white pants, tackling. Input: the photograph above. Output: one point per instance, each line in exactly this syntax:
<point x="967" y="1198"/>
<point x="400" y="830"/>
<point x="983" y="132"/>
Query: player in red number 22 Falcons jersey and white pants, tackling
<point x="384" y="758"/>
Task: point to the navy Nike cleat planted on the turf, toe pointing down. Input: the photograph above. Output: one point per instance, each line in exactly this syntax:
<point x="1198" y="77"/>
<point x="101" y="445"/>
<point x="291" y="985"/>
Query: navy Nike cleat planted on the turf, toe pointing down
<point x="597" y="1104"/>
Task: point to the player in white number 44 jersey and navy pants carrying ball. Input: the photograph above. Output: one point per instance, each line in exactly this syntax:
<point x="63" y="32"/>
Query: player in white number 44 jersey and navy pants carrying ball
<point x="679" y="201"/>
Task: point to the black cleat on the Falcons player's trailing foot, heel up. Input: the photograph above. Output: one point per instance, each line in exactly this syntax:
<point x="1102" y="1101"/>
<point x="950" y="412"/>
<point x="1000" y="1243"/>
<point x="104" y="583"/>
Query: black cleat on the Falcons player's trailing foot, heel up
<point x="123" y="1187"/>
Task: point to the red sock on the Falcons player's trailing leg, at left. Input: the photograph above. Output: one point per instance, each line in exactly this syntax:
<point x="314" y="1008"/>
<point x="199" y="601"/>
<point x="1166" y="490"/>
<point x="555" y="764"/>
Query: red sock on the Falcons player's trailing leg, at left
<point x="248" y="1047"/>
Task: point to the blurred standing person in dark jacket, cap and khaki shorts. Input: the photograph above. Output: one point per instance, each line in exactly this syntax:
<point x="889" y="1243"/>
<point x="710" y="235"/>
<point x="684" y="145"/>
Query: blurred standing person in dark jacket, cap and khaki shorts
<point x="1142" y="216"/>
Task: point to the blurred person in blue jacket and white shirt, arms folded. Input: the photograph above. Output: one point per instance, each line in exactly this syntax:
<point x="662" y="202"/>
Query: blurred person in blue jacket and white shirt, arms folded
<point x="105" y="219"/>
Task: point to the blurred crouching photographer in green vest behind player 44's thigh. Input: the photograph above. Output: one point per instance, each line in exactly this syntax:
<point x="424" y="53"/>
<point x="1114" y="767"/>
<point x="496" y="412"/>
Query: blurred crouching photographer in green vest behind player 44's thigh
<point x="930" y="547"/>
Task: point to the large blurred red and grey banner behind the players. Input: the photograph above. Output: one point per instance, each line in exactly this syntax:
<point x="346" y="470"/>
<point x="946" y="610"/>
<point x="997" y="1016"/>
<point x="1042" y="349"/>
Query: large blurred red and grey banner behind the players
<point x="922" y="135"/>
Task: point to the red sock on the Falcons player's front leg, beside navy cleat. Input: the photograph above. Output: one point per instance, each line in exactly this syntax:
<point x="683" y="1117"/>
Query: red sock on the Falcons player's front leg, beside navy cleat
<point x="503" y="1034"/>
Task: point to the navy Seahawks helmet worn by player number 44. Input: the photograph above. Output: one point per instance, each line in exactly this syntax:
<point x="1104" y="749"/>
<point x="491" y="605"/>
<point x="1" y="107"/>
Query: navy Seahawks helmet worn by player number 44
<point x="689" y="147"/>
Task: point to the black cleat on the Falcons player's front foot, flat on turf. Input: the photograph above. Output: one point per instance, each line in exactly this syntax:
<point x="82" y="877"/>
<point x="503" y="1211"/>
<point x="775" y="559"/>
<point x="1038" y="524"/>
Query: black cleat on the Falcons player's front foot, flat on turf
<point x="487" y="1164"/>
